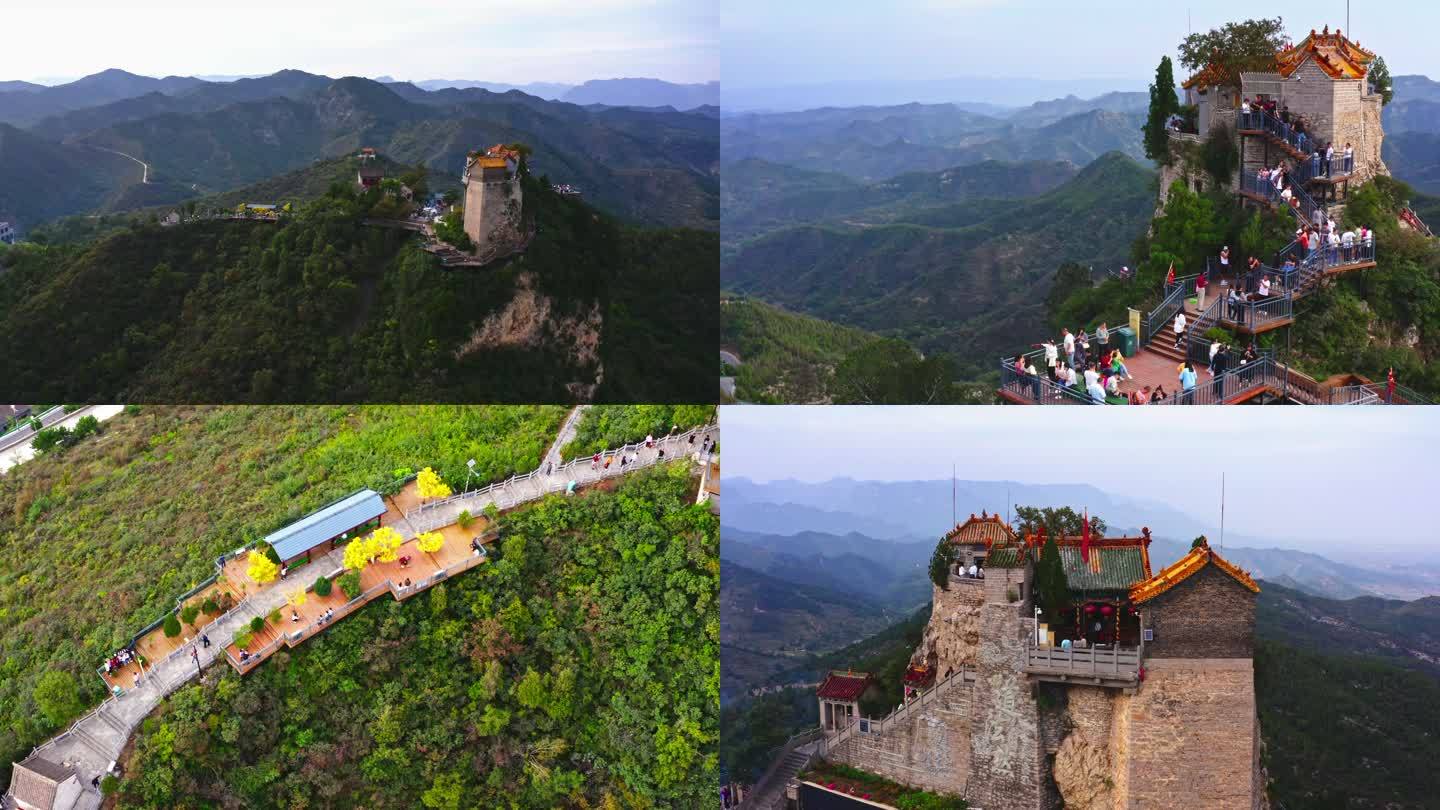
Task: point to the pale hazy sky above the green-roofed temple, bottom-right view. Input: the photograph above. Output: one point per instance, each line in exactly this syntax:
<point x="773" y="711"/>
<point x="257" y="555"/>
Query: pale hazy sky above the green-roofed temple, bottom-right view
<point x="1364" y="475"/>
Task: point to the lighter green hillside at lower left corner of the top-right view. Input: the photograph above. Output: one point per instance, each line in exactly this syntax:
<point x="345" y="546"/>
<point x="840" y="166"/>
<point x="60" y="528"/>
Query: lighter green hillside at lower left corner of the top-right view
<point x="784" y="357"/>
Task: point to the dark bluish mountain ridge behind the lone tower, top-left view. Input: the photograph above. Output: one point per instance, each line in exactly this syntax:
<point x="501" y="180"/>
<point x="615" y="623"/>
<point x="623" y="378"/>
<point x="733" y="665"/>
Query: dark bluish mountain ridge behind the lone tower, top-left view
<point x="653" y="166"/>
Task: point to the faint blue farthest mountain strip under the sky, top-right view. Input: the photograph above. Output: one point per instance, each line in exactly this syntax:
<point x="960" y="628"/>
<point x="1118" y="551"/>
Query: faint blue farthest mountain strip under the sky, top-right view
<point x="986" y="94"/>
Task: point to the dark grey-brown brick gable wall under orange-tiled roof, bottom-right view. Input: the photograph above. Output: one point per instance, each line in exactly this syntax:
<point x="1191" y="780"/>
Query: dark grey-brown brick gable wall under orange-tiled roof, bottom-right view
<point x="1209" y="616"/>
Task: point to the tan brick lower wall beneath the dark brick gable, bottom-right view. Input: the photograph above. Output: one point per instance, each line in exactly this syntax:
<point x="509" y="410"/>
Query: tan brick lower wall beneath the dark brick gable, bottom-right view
<point x="1190" y="739"/>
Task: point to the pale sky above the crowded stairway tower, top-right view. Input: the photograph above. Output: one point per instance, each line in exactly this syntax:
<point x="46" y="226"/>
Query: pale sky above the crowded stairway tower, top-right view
<point x="798" y="43"/>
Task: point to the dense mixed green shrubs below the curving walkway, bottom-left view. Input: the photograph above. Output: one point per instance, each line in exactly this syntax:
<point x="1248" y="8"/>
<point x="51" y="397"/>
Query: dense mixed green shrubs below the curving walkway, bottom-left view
<point x="578" y="671"/>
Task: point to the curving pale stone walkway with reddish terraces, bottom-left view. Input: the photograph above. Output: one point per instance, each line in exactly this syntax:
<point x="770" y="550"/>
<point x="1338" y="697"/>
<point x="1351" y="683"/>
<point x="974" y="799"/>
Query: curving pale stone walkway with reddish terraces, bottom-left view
<point x="94" y="743"/>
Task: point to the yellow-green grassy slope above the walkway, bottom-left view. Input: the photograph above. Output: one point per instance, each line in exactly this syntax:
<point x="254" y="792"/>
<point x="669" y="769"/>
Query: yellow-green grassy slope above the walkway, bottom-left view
<point x="100" y="543"/>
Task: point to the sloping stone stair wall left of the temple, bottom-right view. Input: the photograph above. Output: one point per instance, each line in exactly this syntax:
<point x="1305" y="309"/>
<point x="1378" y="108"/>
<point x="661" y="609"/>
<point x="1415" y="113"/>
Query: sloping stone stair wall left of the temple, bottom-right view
<point x="930" y="750"/>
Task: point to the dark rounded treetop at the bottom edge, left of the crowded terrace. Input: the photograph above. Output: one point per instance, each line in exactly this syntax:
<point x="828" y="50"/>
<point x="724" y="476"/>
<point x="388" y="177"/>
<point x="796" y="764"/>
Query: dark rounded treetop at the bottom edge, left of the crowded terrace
<point x="891" y="373"/>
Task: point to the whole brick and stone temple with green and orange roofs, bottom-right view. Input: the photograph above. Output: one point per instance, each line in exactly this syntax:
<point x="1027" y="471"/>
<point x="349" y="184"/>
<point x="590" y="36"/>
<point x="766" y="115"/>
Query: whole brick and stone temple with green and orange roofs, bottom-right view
<point x="1138" y="693"/>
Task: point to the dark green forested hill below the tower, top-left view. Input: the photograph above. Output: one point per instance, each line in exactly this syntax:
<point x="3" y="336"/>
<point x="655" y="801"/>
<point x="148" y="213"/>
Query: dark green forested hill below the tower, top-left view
<point x="326" y="309"/>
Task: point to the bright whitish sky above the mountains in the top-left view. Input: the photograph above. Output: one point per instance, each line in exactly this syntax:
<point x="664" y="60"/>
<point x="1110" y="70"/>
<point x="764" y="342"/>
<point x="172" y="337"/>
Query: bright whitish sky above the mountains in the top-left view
<point x="552" y="41"/>
